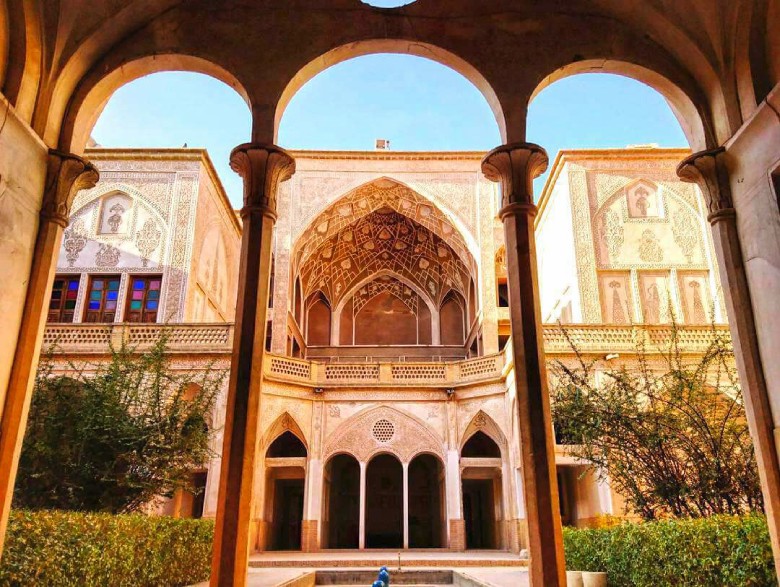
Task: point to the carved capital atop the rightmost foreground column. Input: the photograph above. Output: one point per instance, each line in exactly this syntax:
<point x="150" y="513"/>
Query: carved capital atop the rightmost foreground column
<point x="707" y="169"/>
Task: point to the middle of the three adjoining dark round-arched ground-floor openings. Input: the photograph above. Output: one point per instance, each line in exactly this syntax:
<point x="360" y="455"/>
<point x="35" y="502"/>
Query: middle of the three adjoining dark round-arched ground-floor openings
<point x="384" y="503"/>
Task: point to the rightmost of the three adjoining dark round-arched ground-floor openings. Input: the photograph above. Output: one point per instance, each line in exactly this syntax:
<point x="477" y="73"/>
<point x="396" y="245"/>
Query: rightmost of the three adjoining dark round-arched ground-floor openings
<point x="425" y="502"/>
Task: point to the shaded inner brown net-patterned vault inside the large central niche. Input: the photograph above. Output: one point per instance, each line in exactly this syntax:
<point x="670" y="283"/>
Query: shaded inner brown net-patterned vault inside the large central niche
<point x="383" y="242"/>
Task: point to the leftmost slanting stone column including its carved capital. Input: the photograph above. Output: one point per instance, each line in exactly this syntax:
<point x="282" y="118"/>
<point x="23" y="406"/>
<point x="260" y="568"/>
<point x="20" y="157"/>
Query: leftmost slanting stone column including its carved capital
<point x="66" y="174"/>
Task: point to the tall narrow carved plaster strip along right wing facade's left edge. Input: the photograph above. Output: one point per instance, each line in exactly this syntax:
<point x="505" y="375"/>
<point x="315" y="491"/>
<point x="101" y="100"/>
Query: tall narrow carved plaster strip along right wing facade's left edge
<point x="583" y="242"/>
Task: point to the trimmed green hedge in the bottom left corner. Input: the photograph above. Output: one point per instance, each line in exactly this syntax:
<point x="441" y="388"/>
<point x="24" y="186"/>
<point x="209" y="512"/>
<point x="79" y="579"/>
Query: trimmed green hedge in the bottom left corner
<point x="55" y="548"/>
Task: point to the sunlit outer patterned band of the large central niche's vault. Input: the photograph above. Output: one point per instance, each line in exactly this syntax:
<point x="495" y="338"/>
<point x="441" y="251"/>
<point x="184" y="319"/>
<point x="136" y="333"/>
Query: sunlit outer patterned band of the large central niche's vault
<point x="378" y="194"/>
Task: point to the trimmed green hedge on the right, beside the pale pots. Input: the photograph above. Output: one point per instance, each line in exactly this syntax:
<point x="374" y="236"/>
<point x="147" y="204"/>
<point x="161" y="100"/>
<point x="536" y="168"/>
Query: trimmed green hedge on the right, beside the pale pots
<point x="715" y="551"/>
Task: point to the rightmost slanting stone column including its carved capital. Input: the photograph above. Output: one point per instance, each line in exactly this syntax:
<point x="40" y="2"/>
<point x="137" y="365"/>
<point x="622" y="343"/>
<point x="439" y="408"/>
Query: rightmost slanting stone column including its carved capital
<point x="708" y="170"/>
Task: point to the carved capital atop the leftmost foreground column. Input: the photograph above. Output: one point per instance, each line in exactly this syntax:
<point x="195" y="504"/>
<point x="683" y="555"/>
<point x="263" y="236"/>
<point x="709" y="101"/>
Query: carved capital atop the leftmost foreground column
<point x="66" y="174"/>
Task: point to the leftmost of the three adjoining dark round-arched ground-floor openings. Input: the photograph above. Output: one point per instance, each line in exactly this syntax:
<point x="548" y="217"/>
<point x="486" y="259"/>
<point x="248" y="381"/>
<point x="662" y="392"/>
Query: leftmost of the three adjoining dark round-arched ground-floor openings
<point x="341" y="502"/>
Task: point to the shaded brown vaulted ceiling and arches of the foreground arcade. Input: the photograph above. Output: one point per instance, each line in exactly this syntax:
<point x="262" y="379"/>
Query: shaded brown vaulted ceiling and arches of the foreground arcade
<point x="512" y="45"/>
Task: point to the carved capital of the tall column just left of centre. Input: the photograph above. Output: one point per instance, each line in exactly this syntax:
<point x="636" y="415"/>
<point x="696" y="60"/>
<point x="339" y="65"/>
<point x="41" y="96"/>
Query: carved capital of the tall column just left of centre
<point x="263" y="167"/>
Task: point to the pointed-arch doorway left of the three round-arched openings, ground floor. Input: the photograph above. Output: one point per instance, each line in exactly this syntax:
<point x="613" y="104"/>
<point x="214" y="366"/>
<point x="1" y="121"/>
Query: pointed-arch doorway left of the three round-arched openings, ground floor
<point x="285" y="462"/>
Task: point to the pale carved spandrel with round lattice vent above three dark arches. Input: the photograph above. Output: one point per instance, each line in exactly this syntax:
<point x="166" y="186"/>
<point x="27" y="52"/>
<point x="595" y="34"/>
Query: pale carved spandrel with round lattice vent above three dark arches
<point x="366" y="434"/>
